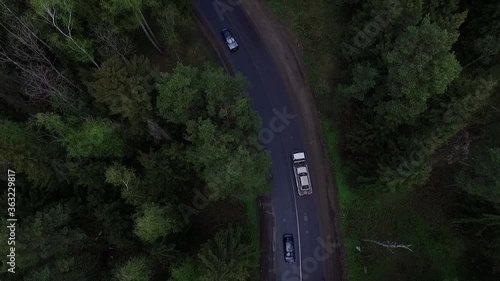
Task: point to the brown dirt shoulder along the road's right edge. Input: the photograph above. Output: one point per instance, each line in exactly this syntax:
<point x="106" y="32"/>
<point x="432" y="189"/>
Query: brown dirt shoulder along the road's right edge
<point x="286" y="54"/>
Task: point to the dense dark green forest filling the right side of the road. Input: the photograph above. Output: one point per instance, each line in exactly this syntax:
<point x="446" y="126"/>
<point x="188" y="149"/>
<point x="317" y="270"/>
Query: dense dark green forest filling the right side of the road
<point x="421" y="80"/>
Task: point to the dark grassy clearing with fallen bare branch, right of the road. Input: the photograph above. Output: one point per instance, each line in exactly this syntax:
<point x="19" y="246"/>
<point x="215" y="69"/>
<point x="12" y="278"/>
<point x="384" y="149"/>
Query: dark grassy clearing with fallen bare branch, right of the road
<point x="406" y="218"/>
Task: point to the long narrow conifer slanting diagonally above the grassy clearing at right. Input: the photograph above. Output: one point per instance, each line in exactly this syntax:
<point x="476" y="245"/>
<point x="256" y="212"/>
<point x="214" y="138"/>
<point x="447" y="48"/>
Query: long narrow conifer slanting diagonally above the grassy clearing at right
<point x="414" y="167"/>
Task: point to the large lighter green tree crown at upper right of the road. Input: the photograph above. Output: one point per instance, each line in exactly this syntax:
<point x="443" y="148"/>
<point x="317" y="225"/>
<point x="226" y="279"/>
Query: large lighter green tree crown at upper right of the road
<point x="419" y="67"/>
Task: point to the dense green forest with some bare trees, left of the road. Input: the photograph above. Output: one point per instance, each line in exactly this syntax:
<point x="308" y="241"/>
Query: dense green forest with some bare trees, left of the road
<point x="124" y="145"/>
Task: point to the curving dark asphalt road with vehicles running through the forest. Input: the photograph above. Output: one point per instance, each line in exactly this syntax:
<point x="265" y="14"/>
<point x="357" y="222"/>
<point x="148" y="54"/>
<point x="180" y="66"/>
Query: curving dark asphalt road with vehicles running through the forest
<point x="281" y="135"/>
